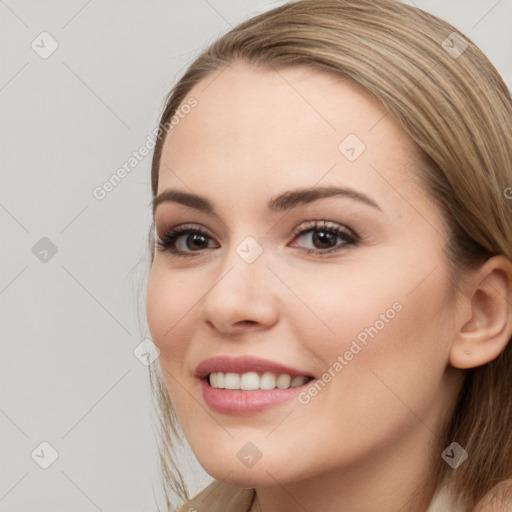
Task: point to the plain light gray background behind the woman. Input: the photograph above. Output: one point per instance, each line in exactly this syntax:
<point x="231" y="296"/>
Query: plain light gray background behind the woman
<point x="69" y="325"/>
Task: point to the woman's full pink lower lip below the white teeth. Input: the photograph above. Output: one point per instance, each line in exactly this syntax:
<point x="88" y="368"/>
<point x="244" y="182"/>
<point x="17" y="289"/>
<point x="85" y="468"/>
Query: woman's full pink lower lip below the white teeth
<point x="238" y="402"/>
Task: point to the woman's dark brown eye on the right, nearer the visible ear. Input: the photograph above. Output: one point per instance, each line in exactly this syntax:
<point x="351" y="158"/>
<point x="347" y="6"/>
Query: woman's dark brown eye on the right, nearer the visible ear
<point x="325" y="236"/>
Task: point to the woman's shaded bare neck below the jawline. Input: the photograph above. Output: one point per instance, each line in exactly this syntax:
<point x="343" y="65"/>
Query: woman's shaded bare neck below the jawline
<point x="389" y="480"/>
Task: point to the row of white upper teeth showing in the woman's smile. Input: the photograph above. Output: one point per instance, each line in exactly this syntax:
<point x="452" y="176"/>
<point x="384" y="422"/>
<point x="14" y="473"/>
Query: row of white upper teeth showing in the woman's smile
<point x="252" y="380"/>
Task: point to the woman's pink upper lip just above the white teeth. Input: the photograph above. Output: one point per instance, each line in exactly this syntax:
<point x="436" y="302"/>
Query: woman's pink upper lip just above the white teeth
<point x="244" y="364"/>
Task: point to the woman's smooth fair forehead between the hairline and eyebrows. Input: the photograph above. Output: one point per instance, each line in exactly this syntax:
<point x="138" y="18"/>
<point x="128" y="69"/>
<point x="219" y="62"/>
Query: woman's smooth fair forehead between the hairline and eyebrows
<point x="258" y="129"/>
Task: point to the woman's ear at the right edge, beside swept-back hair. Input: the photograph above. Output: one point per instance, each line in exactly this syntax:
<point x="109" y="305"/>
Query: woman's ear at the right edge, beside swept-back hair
<point x="485" y="334"/>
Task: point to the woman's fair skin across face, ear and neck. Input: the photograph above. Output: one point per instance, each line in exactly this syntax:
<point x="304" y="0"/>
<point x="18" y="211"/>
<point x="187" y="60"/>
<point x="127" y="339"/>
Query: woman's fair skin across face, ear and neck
<point x="363" y="443"/>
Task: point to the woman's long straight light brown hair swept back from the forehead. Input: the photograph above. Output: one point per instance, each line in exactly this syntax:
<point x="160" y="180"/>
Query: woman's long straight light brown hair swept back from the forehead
<point x="458" y="110"/>
